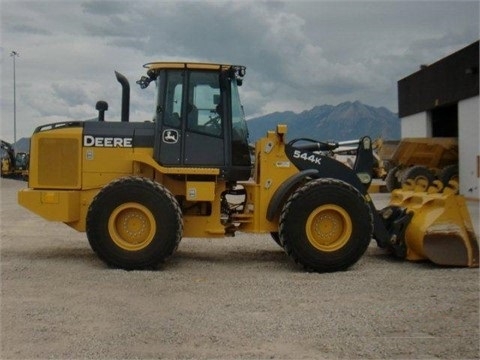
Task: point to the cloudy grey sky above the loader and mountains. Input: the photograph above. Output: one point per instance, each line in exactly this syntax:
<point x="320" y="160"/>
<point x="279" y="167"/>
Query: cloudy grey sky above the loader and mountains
<point x="298" y="54"/>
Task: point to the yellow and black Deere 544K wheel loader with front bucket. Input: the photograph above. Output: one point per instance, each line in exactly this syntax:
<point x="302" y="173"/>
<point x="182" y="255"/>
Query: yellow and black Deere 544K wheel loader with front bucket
<point x="138" y="188"/>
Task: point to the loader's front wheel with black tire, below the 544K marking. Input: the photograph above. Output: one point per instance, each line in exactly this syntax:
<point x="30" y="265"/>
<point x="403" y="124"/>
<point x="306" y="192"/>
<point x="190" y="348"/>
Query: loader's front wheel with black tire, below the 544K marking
<point x="326" y="225"/>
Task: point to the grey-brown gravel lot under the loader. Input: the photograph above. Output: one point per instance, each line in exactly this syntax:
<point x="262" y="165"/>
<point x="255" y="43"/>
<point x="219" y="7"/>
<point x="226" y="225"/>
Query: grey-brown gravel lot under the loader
<point x="237" y="298"/>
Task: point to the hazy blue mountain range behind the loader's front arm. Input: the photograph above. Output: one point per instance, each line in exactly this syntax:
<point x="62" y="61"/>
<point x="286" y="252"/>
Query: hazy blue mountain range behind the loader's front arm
<point x="346" y="121"/>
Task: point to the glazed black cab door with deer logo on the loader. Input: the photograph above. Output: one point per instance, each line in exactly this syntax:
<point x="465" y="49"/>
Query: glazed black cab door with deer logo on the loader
<point x="191" y="128"/>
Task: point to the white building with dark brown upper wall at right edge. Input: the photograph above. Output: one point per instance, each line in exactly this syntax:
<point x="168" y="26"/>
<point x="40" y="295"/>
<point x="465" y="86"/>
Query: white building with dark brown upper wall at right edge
<point x="442" y="100"/>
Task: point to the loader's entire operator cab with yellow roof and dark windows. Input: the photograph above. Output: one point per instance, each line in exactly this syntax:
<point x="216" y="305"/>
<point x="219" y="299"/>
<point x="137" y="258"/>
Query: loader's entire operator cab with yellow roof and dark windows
<point x="199" y="120"/>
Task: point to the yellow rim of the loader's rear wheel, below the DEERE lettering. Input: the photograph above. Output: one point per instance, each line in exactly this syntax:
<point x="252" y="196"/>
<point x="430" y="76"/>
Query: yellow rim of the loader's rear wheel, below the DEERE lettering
<point x="132" y="226"/>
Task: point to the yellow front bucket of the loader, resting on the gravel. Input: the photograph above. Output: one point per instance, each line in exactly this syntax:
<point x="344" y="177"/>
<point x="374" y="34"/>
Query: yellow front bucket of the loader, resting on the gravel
<point x="441" y="229"/>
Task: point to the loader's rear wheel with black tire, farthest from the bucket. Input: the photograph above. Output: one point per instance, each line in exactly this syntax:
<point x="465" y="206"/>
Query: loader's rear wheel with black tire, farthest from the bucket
<point x="134" y="223"/>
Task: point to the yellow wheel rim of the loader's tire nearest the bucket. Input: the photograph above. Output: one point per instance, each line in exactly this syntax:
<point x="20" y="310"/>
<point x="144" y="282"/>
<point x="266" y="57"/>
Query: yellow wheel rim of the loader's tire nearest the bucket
<point x="329" y="227"/>
